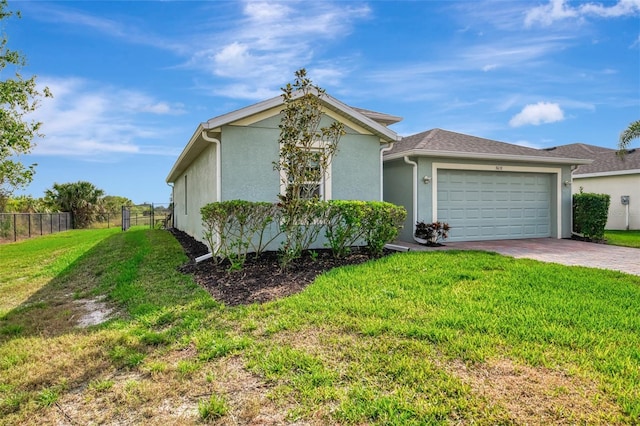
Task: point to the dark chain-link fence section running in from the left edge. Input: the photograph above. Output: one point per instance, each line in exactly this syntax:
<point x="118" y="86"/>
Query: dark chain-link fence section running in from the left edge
<point x="20" y="226"/>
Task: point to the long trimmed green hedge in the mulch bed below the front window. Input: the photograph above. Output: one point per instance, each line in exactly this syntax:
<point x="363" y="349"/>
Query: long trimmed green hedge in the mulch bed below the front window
<point x="236" y="228"/>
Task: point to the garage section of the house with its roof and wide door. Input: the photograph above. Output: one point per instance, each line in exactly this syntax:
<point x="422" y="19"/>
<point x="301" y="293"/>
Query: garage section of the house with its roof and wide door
<point x="484" y="189"/>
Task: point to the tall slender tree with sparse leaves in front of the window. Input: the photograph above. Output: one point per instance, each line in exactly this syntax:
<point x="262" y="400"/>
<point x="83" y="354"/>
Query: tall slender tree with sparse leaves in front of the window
<point x="306" y="151"/>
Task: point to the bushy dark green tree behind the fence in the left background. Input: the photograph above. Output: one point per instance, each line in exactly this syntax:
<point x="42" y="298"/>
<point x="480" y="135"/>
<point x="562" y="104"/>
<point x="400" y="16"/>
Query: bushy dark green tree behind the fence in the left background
<point x="82" y="199"/>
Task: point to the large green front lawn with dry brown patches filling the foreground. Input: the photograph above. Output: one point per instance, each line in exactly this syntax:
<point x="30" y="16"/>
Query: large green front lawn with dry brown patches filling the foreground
<point x="413" y="338"/>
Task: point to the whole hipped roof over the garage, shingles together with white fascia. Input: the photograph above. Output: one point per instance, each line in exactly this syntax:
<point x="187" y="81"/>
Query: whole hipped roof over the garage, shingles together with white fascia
<point x="444" y="143"/>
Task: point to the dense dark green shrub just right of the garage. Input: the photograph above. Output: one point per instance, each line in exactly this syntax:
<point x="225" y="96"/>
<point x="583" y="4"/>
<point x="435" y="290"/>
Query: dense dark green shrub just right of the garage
<point x="590" y="214"/>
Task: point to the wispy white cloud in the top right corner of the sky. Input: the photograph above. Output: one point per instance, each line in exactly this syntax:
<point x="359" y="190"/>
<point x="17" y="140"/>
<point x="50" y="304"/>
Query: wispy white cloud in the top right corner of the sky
<point x="557" y="10"/>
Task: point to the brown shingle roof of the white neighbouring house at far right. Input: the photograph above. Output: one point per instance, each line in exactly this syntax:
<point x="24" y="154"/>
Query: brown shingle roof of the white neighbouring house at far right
<point x="606" y="161"/>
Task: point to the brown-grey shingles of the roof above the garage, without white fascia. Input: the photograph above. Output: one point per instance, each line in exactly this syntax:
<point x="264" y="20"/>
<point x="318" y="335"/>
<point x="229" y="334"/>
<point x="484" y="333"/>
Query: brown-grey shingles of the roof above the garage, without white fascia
<point x="443" y="141"/>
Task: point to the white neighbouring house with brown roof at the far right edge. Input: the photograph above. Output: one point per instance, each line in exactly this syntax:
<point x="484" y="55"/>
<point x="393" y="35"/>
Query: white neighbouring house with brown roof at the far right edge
<point x="609" y="174"/>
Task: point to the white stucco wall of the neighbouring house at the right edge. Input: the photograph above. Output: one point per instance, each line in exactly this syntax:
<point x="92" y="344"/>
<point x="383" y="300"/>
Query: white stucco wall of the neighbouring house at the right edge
<point x="615" y="186"/>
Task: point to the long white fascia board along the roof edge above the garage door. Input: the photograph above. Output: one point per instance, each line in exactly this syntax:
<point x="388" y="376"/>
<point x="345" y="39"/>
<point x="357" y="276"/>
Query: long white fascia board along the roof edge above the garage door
<point x="487" y="156"/>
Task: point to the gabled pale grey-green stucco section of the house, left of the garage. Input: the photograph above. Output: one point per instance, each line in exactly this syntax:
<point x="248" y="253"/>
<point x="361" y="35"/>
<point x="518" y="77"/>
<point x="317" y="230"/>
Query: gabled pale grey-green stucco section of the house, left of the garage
<point x="232" y="157"/>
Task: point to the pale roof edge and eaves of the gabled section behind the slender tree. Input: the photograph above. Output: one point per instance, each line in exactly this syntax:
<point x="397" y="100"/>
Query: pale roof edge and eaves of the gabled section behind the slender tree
<point x="371" y="121"/>
